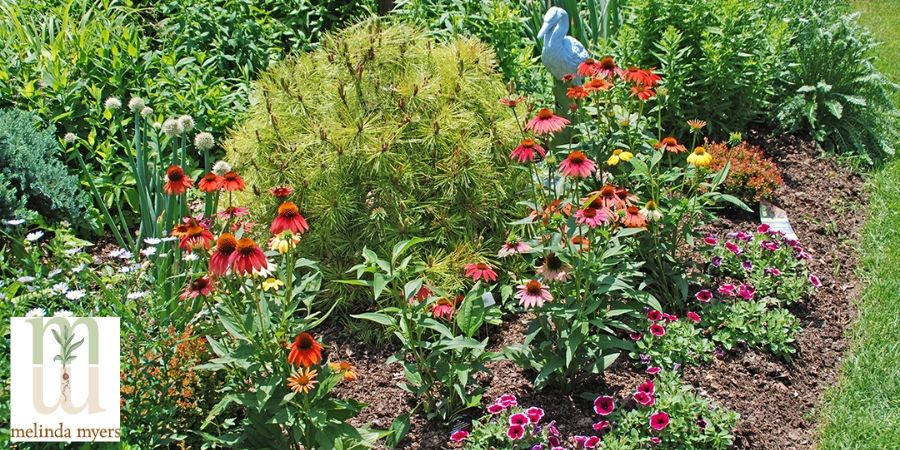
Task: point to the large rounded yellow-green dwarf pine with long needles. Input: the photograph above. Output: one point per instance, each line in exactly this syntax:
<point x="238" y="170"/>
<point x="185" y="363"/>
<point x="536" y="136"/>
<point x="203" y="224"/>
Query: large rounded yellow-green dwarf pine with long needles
<point x="385" y="136"/>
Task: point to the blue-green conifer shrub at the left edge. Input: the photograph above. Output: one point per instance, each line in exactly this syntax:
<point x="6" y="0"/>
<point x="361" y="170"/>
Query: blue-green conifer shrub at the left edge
<point x="32" y="175"/>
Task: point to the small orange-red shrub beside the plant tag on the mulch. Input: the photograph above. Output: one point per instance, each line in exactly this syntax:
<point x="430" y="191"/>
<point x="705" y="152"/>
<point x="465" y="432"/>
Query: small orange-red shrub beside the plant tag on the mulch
<point x="752" y="177"/>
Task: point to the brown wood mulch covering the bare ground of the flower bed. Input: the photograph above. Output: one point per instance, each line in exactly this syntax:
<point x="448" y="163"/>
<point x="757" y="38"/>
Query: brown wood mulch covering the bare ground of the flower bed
<point x="776" y="399"/>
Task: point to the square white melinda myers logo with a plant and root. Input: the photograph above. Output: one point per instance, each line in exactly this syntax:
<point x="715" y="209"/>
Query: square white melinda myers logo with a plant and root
<point x="65" y="379"/>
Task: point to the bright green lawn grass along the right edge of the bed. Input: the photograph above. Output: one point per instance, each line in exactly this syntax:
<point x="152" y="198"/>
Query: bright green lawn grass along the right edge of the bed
<point x="863" y="410"/>
